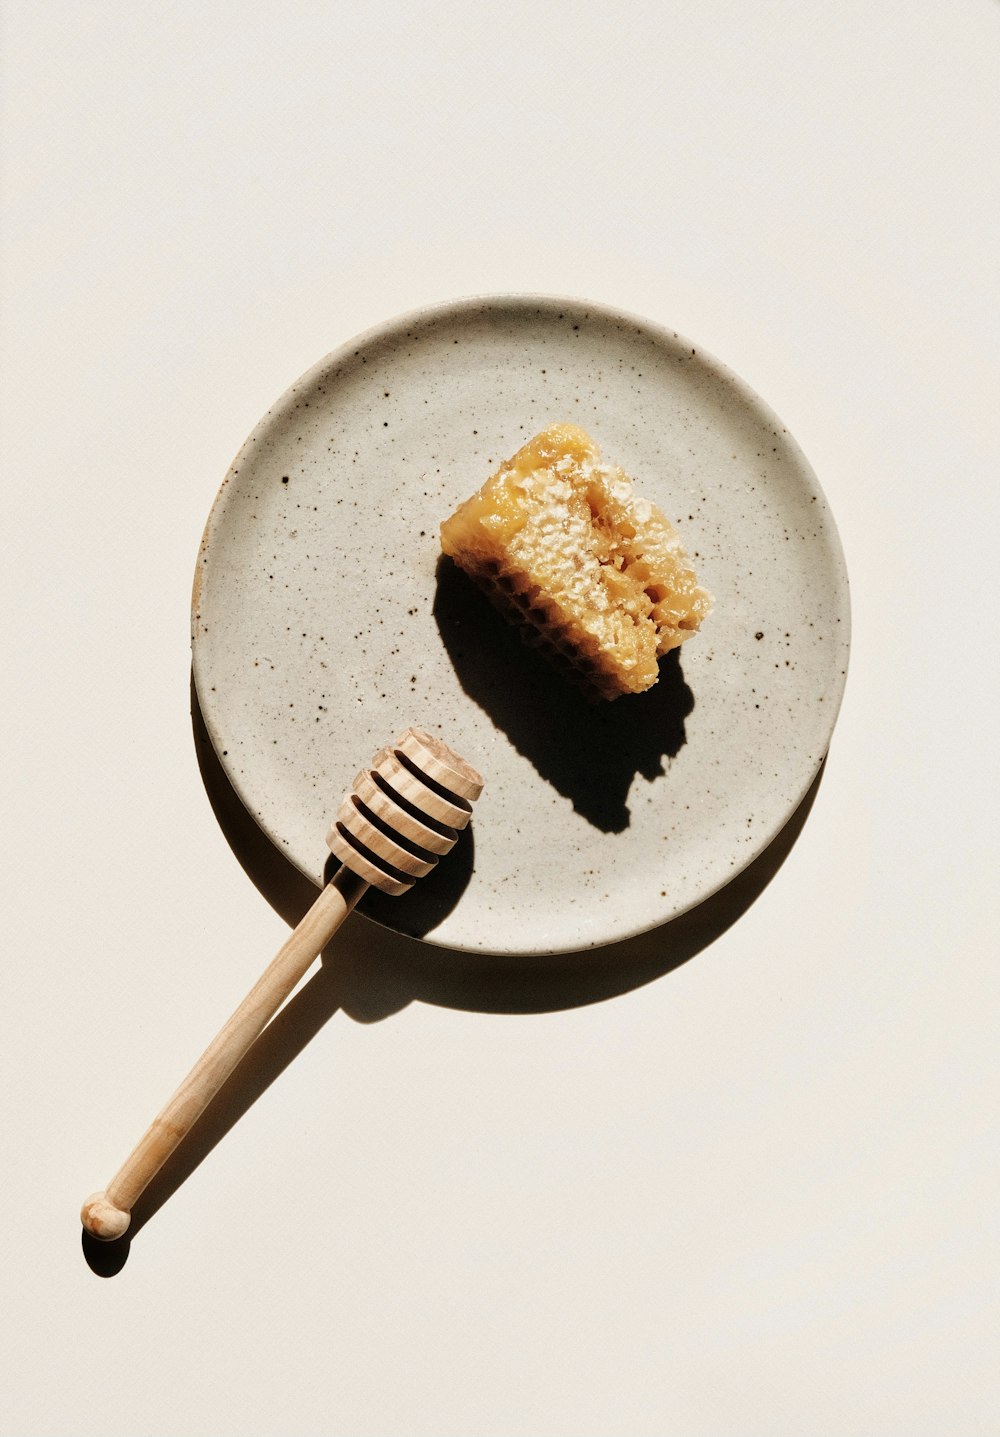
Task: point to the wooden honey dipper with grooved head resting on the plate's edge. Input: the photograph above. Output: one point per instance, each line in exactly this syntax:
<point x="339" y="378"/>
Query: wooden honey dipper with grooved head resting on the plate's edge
<point x="400" y="817"/>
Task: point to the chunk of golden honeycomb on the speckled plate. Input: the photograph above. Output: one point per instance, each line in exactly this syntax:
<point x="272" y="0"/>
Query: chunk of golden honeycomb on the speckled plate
<point x="597" y="577"/>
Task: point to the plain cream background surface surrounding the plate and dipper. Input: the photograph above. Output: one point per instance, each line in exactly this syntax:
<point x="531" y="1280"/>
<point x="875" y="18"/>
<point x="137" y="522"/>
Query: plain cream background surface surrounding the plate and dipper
<point x="756" y="1195"/>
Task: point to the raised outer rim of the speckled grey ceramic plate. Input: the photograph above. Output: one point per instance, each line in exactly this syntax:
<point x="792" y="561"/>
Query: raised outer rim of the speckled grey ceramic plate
<point x="665" y="336"/>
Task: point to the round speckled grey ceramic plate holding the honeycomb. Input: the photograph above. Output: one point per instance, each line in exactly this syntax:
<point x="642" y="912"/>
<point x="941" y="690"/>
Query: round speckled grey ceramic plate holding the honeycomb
<point x="325" y="622"/>
